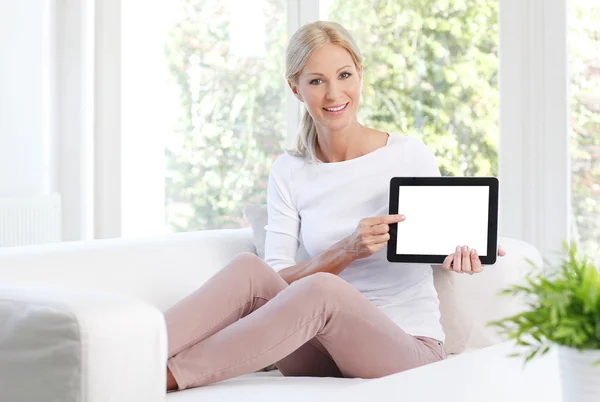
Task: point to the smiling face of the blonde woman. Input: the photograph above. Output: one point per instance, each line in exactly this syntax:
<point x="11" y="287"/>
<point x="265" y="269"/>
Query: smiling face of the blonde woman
<point x="329" y="85"/>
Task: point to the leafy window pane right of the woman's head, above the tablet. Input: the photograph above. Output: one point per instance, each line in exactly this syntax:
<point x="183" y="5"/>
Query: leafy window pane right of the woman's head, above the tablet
<point x="431" y="70"/>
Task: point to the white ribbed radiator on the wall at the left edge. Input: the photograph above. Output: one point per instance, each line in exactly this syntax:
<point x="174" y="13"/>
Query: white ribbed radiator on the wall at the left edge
<point x="28" y="221"/>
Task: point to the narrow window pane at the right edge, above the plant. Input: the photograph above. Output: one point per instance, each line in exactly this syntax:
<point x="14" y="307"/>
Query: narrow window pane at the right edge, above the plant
<point x="584" y="64"/>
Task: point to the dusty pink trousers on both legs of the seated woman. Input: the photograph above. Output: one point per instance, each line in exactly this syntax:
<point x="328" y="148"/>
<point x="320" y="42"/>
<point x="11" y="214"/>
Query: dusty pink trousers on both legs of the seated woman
<point x="246" y="318"/>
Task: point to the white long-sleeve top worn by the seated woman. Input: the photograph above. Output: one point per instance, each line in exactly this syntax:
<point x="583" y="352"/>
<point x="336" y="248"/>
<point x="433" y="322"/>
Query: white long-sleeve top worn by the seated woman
<point x="320" y="204"/>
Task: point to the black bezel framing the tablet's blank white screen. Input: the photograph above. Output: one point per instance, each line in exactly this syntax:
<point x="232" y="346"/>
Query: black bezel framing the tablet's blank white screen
<point x="492" y="246"/>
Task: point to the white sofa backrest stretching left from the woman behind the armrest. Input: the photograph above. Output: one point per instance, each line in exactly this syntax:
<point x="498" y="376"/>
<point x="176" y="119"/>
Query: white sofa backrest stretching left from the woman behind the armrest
<point x="159" y="269"/>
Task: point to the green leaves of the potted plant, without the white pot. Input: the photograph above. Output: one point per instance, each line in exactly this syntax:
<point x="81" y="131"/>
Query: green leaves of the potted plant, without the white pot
<point x="563" y="308"/>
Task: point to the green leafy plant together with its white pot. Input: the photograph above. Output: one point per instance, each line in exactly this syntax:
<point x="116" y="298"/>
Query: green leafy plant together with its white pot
<point x="563" y="311"/>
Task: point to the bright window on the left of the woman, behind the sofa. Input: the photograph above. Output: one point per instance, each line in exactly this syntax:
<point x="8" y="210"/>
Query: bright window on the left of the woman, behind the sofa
<point x="211" y="108"/>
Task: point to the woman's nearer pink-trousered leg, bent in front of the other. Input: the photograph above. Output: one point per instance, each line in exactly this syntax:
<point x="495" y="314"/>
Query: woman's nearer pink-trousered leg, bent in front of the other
<point x="360" y="338"/>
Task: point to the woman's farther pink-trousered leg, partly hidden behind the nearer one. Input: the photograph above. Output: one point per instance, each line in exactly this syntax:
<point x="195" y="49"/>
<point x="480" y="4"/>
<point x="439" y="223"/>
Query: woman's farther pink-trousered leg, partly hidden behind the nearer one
<point x="243" y="286"/>
